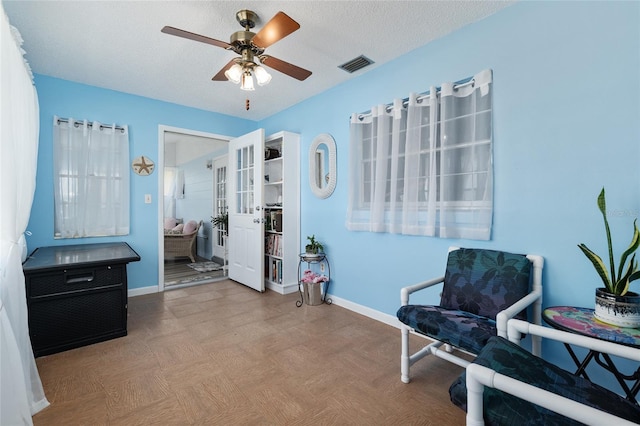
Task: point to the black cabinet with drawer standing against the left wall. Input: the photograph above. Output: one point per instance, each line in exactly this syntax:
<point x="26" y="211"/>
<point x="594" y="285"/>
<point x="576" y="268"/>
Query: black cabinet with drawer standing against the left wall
<point x="76" y="295"/>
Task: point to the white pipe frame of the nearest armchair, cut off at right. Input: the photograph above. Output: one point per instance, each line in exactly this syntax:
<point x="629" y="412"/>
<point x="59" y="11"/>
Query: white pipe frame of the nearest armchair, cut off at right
<point x="479" y="376"/>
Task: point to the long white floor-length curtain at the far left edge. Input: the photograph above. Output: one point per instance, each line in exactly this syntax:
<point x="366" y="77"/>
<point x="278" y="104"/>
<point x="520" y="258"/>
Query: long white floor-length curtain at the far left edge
<point x="21" y="393"/>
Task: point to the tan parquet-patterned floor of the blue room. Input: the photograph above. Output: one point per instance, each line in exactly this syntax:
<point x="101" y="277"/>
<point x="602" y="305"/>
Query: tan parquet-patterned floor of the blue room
<point x="223" y="354"/>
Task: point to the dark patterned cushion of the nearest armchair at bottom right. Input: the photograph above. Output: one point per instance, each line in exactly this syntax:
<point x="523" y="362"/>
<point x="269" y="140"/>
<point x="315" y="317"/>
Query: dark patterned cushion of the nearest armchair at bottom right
<point x="511" y="360"/>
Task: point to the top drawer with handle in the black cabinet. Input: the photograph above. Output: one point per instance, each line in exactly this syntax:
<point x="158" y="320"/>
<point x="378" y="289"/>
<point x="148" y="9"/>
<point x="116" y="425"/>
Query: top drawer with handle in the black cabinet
<point x="73" y="280"/>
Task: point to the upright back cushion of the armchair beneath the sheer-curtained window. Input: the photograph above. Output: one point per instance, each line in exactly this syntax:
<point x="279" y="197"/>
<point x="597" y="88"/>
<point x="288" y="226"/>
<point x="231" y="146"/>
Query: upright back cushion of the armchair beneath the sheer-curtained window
<point x="485" y="282"/>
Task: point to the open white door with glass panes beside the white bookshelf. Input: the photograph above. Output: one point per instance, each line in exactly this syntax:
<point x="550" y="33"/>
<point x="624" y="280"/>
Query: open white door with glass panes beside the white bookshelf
<point x="246" y="240"/>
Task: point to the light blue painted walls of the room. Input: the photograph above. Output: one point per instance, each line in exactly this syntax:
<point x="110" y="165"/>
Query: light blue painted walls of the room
<point x="566" y="123"/>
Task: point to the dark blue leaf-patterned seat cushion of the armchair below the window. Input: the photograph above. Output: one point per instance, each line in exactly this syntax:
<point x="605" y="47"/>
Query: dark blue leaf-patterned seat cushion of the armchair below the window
<point x="458" y="328"/>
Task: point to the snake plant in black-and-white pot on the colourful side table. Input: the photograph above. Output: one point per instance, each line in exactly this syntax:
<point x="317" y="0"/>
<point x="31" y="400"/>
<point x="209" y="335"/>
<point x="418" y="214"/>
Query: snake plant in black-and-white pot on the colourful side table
<point x="615" y="304"/>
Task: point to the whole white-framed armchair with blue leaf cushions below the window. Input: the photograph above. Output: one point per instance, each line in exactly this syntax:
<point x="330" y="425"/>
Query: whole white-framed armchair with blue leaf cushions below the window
<point x="482" y="290"/>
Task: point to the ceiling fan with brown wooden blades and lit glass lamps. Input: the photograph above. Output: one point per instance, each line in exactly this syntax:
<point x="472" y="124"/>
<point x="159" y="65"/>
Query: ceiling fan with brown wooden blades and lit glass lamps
<point x="250" y="46"/>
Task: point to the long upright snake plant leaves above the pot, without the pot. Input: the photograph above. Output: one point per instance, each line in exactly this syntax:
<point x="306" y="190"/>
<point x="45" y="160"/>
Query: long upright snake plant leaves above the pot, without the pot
<point x="627" y="272"/>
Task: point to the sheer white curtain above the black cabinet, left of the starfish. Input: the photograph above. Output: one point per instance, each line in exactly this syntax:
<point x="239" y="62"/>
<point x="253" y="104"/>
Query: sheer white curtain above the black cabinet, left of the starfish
<point x="91" y="169"/>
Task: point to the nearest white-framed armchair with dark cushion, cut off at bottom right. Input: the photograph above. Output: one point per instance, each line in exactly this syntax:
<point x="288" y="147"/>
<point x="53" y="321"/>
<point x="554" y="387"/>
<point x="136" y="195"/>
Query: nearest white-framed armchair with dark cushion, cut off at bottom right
<point x="507" y="385"/>
